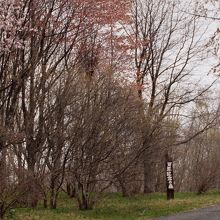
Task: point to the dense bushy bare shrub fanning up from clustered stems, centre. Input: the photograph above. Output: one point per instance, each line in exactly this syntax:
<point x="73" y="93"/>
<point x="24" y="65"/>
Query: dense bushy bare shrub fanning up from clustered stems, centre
<point x="98" y="119"/>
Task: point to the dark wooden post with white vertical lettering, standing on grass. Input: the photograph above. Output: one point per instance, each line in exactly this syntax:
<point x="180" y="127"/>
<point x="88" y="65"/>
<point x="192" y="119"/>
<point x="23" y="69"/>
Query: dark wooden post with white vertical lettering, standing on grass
<point x="169" y="178"/>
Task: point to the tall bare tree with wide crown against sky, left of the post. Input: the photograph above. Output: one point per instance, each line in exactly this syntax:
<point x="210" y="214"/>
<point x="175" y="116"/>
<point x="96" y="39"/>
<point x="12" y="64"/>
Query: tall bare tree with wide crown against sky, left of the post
<point x="166" y="42"/>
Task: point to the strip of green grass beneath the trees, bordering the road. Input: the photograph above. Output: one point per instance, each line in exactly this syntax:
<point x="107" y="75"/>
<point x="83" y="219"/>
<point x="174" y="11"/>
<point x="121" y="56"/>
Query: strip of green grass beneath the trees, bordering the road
<point x="115" y="207"/>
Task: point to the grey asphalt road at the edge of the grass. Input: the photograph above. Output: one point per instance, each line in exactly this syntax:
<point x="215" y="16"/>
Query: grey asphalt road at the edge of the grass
<point x="210" y="213"/>
